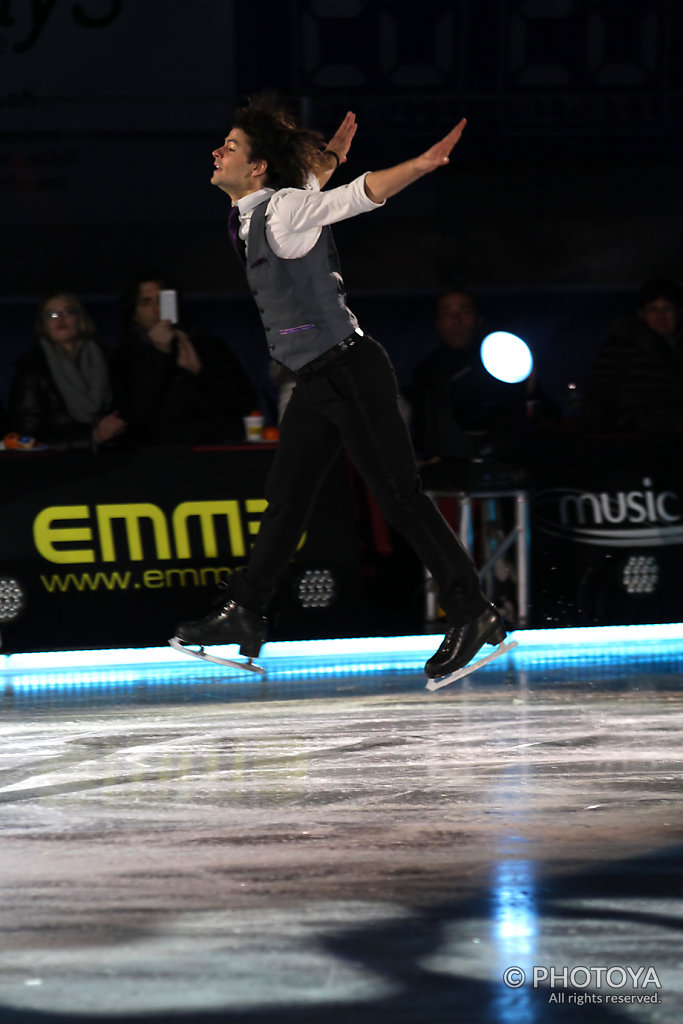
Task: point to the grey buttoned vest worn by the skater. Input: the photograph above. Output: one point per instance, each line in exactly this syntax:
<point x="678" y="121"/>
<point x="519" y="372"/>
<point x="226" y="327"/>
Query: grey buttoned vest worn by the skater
<point x="302" y="302"/>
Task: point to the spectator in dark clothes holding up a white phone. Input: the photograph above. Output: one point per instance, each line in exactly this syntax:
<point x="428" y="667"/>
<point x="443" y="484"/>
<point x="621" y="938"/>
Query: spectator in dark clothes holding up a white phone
<point x="174" y="386"/>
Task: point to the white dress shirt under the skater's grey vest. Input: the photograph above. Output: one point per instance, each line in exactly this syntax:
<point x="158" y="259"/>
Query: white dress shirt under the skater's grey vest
<point x="296" y="217"/>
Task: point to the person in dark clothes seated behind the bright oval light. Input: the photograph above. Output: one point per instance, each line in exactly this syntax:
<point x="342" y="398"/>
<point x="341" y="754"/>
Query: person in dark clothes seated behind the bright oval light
<point x="459" y="410"/>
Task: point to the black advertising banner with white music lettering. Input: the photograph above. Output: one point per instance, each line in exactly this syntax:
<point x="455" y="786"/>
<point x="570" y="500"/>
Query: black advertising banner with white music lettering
<point x="608" y="534"/>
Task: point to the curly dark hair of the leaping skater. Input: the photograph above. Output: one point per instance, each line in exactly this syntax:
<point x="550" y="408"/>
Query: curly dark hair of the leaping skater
<point x="292" y="153"/>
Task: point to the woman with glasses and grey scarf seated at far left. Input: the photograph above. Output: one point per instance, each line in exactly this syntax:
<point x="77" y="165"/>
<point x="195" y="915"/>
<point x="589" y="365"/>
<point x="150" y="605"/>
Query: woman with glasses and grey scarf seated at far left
<point x="61" y="392"/>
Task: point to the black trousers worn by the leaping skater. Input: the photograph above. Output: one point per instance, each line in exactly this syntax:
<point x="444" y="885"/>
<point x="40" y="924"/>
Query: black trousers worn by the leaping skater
<point x="353" y="403"/>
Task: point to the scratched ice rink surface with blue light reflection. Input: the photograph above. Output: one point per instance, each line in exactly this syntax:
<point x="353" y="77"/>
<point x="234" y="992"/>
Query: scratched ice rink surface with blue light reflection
<point x="333" y="846"/>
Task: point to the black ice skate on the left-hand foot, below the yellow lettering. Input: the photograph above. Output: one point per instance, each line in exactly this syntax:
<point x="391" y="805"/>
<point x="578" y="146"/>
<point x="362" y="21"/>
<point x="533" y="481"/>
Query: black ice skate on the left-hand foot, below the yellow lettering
<point x="229" y="623"/>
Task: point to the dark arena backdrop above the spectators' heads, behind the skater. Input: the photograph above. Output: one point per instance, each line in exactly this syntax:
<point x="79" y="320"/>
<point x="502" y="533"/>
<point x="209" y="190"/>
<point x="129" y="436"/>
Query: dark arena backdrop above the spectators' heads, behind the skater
<point x="564" y="196"/>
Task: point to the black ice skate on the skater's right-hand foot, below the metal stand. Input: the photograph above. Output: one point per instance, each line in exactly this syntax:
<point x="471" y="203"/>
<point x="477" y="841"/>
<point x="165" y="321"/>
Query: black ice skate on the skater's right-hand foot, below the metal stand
<point x="461" y="644"/>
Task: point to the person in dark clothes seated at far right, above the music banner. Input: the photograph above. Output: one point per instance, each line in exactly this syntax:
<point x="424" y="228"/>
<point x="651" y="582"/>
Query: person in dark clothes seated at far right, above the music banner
<point x="636" y="382"/>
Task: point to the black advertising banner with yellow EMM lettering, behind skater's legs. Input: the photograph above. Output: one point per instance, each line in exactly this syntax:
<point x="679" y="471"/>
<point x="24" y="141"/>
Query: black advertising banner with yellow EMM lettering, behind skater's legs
<point x="113" y="550"/>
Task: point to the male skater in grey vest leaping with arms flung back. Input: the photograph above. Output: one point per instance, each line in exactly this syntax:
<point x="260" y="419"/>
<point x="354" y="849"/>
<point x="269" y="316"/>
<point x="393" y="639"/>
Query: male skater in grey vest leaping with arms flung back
<point x="347" y="393"/>
